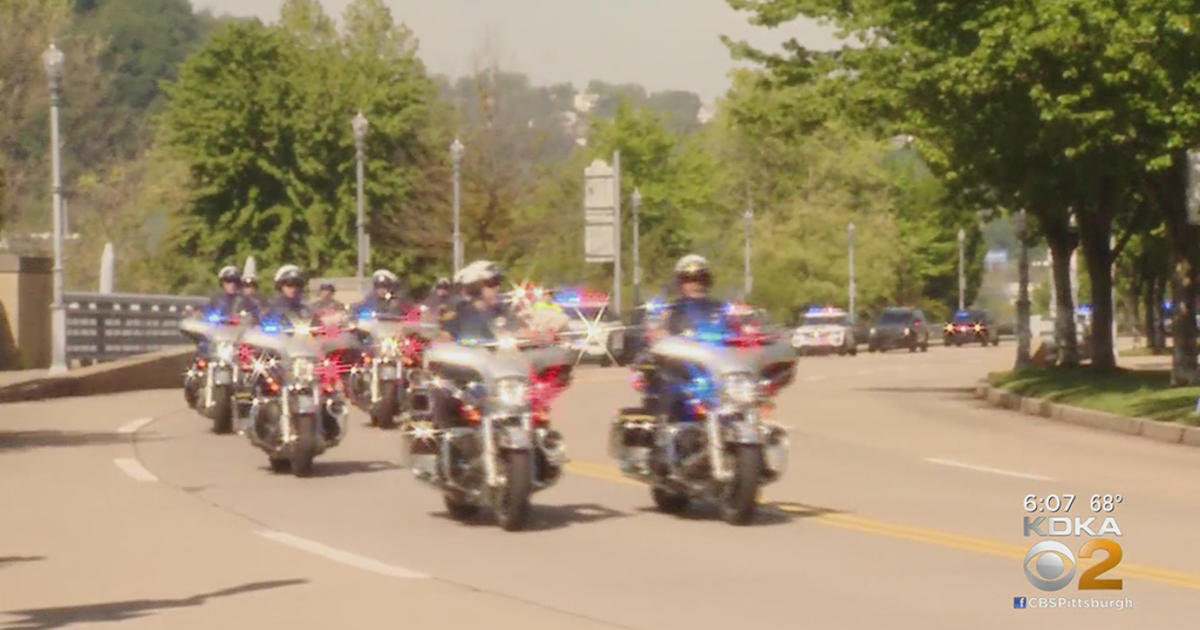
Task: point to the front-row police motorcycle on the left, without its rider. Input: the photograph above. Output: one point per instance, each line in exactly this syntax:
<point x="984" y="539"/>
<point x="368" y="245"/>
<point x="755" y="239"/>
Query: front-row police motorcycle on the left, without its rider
<point x="491" y="445"/>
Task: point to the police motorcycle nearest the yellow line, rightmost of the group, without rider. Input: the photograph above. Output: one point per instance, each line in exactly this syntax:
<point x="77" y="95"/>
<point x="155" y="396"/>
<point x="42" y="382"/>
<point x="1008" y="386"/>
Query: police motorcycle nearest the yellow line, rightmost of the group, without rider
<point x="704" y="434"/>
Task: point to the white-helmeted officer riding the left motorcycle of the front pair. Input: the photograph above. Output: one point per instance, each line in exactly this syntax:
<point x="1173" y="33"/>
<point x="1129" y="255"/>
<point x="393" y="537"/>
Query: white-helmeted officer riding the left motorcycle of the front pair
<point x="482" y="314"/>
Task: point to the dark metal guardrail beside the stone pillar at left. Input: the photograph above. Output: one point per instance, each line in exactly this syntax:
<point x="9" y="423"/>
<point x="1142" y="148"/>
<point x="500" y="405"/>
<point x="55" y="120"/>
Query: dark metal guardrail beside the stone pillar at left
<point x="103" y="327"/>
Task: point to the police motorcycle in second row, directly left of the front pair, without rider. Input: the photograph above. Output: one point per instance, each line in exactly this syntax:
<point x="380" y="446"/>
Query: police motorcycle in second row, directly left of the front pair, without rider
<point x="298" y="410"/>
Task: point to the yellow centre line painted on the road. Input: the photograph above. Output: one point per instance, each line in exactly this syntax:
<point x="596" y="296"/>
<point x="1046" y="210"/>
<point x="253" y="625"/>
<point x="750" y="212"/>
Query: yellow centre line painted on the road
<point x="917" y="535"/>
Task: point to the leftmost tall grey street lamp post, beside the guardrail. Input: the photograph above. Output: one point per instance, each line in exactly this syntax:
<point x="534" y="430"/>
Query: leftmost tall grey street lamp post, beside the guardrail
<point x="53" y="61"/>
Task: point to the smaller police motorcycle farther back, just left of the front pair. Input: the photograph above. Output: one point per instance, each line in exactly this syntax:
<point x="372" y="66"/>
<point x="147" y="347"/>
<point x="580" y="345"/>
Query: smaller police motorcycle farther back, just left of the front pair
<point x="391" y="364"/>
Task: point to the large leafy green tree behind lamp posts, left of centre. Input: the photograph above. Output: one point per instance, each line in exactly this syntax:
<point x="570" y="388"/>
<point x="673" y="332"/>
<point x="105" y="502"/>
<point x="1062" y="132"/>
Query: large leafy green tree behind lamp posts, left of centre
<point x="261" y="116"/>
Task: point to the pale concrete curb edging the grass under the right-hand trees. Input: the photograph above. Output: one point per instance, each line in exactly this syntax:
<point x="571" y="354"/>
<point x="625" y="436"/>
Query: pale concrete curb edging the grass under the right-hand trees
<point x="1155" y="430"/>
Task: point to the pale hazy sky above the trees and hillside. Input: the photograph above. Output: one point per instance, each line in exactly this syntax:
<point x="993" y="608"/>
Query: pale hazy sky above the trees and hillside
<point x="663" y="45"/>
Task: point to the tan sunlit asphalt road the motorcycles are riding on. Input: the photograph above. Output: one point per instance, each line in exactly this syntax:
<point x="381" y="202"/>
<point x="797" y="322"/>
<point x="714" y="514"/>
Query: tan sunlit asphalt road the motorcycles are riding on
<point x="903" y="508"/>
